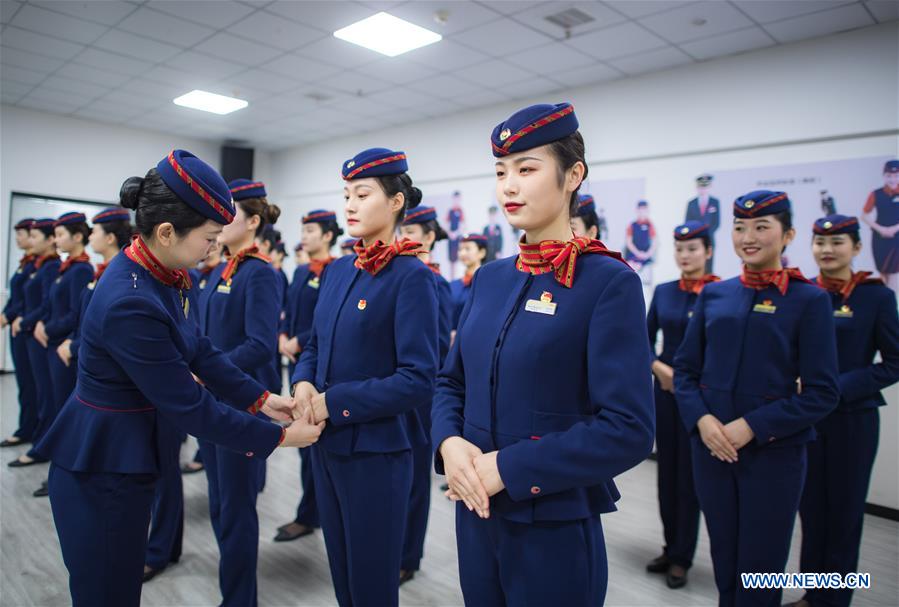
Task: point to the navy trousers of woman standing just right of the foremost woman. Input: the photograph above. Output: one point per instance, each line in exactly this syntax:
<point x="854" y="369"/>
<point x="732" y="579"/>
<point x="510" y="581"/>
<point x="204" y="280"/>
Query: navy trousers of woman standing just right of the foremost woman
<point x="678" y="505"/>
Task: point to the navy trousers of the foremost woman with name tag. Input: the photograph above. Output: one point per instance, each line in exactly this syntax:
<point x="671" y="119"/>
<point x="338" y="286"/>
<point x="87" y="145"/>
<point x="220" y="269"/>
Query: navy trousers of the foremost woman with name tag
<point x="502" y="562"/>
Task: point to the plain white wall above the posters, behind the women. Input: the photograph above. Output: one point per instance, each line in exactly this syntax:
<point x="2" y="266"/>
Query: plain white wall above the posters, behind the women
<point x="825" y="99"/>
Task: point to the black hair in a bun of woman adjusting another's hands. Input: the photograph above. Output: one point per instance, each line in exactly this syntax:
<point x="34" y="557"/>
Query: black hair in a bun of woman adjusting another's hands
<point x="155" y="203"/>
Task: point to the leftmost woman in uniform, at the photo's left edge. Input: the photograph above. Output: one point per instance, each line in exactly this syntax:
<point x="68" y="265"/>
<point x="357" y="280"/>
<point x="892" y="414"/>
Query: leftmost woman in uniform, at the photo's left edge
<point x="11" y="311"/>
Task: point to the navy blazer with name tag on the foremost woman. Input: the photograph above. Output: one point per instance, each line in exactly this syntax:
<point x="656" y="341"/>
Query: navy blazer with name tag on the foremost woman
<point x="566" y="398"/>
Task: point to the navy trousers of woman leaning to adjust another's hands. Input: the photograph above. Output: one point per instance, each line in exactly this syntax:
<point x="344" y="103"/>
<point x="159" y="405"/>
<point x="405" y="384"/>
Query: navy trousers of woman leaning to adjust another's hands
<point x="102" y="520"/>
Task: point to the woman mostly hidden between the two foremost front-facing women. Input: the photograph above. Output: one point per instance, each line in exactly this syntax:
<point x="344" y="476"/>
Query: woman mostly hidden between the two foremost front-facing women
<point x="420" y="225"/>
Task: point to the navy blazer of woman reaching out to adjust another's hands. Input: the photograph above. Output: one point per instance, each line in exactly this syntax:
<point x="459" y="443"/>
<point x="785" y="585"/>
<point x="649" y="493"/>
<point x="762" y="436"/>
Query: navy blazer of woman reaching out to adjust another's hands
<point x="137" y="353"/>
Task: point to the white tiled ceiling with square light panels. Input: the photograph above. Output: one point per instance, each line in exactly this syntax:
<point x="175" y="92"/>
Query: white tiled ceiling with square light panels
<point x="122" y="62"/>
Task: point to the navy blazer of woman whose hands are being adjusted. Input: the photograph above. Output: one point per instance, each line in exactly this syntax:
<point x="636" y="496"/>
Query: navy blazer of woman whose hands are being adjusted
<point x="373" y="351"/>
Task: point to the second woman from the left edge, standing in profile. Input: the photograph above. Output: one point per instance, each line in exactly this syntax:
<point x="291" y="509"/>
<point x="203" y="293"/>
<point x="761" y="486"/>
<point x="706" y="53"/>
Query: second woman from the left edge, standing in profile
<point x="36" y="293"/>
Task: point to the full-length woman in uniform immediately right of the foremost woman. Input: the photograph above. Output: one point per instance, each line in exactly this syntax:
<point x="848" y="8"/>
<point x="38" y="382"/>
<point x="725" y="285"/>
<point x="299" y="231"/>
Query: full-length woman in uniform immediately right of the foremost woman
<point x="670" y="310"/>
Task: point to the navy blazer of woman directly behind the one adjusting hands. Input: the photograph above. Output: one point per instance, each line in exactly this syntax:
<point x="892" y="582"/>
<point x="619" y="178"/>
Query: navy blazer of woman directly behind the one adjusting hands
<point x="241" y="319"/>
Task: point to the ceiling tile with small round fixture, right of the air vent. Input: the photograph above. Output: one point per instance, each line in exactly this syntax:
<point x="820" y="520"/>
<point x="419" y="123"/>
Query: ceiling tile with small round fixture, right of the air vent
<point x="681" y="24"/>
